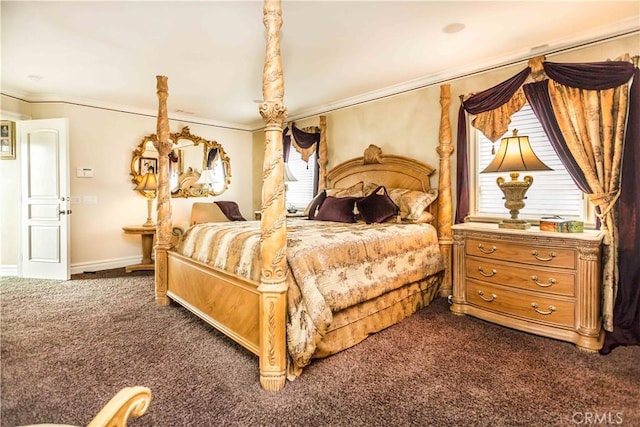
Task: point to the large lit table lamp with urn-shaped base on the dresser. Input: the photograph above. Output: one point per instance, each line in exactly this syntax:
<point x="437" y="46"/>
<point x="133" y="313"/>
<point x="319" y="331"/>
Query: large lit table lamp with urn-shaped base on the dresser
<point x="515" y="155"/>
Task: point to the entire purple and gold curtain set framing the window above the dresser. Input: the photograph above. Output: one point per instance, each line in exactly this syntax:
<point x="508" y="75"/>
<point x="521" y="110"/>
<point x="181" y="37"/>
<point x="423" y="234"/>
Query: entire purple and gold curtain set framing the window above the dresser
<point x="591" y="115"/>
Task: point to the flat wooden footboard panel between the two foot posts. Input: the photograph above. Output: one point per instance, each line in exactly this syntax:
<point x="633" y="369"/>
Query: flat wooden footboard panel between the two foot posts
<point x="229" y="303"/>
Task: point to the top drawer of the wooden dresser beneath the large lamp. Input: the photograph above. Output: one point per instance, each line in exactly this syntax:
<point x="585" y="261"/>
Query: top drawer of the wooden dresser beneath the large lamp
<point x="530" y="254"/>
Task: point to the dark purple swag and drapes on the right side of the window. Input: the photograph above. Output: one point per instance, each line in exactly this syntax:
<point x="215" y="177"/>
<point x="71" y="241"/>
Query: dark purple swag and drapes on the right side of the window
<point x="598" y="76"/>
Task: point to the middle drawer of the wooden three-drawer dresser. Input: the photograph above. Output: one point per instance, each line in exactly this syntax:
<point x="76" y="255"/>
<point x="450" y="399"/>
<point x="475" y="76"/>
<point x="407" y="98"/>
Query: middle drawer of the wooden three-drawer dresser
<point x="554" y="281"/>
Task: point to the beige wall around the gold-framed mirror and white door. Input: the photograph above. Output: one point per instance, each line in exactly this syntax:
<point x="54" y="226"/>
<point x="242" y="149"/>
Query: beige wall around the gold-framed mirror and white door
<point x="104" y="140"/>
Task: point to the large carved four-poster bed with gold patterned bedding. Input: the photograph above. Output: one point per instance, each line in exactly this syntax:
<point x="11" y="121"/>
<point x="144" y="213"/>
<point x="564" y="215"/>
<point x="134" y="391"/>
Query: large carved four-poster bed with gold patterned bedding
<point x="291" y="290"/>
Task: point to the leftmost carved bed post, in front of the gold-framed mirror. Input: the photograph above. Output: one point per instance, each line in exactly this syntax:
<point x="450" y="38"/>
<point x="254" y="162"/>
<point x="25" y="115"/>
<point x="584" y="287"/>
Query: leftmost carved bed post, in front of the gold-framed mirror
<point x="163" y="229"/>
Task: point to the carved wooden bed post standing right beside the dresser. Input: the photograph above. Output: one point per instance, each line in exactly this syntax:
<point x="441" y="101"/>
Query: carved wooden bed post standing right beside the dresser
<point x="445" y="215"/>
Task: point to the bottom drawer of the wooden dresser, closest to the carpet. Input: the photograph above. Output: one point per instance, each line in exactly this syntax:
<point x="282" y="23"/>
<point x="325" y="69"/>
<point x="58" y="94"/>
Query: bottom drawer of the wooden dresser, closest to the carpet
<point x="534" y="307"/>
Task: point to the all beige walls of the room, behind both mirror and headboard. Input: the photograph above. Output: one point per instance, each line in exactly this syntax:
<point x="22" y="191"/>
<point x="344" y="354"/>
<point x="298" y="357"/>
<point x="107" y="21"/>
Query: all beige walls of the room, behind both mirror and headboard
<point x="405" y="124"/>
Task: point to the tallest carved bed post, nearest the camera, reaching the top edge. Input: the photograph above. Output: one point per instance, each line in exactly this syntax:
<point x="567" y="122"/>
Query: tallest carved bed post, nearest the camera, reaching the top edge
<point x="273" y="289"/>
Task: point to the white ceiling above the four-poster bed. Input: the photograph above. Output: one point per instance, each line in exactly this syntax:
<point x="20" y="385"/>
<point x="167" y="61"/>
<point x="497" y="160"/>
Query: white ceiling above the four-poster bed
<point x="335" y="53"/>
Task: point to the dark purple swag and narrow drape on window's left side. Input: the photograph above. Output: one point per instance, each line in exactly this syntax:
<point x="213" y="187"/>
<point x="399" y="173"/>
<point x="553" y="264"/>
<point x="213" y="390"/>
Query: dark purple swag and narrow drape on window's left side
<point x="486" y="100"/>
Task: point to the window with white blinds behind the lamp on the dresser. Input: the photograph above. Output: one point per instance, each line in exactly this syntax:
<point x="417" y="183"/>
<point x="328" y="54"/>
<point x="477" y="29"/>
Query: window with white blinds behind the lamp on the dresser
<point x="552" y="192"/>
